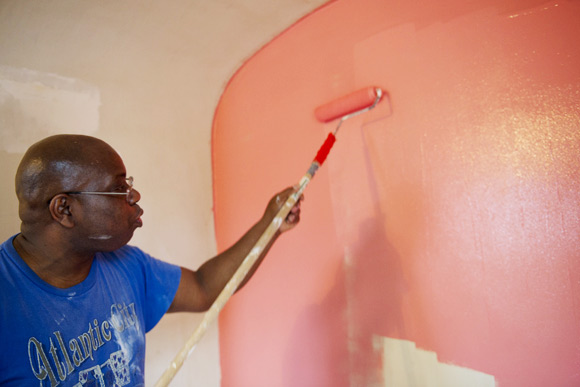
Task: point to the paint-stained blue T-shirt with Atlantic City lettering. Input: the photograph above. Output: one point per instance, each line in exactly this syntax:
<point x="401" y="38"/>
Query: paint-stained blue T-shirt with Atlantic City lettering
<point x="91" y="334"/>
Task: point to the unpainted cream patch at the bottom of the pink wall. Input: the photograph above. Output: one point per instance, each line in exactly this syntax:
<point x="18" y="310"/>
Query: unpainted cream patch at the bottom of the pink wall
<point x="404" y="365"/>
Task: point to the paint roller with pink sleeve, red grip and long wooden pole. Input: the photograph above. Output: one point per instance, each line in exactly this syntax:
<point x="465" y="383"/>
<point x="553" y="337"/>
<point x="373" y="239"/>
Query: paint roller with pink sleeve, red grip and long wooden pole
<point x="344" y="108"/>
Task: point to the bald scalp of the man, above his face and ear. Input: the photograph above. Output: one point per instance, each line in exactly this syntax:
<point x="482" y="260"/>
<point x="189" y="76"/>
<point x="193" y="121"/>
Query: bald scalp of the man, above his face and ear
<point x="54" y="165"/>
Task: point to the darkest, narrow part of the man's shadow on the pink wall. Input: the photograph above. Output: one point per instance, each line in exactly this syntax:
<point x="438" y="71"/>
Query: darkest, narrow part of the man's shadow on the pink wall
<point x="375" y="292"/>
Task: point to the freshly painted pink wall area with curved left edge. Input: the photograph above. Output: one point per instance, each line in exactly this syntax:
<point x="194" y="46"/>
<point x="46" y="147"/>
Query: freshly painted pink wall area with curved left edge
<point x="448" y="216"/>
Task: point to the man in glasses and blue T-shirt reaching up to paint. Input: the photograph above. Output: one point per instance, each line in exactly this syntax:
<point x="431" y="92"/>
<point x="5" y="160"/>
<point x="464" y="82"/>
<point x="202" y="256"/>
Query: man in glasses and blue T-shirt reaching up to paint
<point x="75" y="300"/>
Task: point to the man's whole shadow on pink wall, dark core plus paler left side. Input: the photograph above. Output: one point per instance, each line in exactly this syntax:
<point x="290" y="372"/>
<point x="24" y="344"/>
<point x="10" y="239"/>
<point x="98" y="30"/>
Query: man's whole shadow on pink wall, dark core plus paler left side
<point x="370" y="275"/>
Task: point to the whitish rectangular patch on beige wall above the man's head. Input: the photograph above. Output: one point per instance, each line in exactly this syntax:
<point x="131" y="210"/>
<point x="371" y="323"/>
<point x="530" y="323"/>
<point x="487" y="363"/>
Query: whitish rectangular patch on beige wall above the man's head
<point x="34" y="105"/>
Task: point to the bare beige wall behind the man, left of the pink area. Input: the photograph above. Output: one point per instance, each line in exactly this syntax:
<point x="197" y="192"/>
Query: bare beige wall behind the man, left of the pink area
<point x="146" y="77"/>
